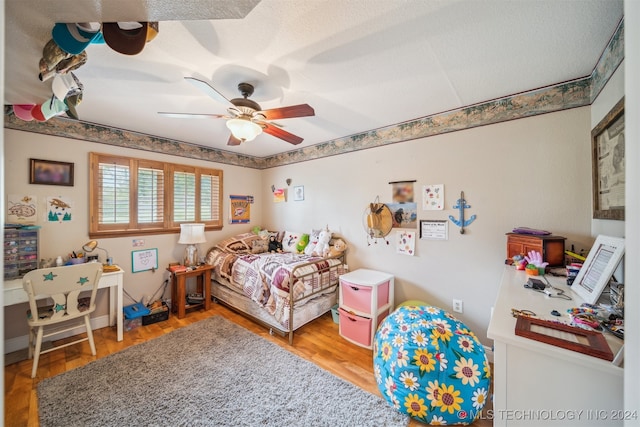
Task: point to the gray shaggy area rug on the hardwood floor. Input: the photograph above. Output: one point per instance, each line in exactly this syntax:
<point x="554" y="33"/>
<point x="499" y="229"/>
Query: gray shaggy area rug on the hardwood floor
<point x="210" y="373"/>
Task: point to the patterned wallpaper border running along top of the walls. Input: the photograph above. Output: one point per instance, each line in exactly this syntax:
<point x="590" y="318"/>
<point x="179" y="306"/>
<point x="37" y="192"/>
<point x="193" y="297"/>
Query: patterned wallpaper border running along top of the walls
<point x="563" y="96"/>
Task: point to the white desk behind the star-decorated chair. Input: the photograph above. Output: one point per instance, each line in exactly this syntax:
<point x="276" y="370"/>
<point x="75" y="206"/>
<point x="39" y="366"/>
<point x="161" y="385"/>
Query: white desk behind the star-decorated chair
<point x="14" y="294"/>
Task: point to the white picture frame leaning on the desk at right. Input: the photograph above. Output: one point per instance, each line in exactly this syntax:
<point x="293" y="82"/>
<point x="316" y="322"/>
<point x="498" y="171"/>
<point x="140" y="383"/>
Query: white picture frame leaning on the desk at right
<point x="603" y="259"/>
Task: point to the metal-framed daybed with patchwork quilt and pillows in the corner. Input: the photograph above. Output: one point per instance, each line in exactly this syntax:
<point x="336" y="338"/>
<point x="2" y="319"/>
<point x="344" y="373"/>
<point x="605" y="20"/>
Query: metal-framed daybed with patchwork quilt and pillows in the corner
<point x="280" y="290"/>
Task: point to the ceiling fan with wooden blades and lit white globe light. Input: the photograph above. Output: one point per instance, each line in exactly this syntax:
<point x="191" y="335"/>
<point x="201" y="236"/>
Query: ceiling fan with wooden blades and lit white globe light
<point x="245" y="118"/>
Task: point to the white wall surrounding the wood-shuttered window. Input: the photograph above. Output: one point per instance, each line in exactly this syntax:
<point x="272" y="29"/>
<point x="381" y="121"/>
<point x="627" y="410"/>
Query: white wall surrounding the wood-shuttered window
<point x="62" y="238"/>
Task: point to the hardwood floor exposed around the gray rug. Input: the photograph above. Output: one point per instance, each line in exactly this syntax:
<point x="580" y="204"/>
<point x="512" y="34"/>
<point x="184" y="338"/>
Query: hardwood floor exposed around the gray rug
<point x="318" y="342"/>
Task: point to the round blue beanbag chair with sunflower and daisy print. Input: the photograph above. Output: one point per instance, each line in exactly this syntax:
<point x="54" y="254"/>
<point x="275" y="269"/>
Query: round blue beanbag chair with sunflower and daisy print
<point x="430" y="366"/>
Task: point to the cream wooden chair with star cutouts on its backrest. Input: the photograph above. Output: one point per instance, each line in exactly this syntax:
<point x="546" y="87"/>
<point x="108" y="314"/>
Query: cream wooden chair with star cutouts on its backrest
<point x="63" y="285"/>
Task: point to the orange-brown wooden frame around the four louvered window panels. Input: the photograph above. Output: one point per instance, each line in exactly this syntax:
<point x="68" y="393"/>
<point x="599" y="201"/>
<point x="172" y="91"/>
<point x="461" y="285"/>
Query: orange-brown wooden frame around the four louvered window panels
<point x="133" y="227"/>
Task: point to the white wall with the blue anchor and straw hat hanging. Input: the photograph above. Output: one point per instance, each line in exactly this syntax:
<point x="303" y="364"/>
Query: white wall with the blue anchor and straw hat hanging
<point x="533" y="172"/>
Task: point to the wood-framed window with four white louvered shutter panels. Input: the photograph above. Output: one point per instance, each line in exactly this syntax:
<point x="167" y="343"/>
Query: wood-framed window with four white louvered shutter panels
<point x="135" y="196"/>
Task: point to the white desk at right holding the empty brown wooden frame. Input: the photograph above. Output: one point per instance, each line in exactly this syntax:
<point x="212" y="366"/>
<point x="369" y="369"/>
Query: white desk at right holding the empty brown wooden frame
<point x="540" y="384"/>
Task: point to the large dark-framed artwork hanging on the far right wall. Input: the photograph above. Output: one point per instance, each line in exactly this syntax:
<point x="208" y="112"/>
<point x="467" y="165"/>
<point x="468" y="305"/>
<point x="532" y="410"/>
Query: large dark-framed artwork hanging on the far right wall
<point x="608" y="159"/>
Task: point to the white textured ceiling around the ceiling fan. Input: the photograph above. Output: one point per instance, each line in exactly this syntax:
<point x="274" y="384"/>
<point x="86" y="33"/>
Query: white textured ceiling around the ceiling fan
<point x="361" y="64"/>
